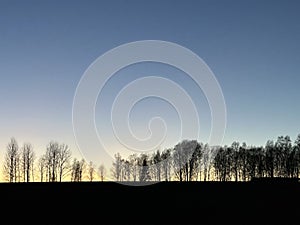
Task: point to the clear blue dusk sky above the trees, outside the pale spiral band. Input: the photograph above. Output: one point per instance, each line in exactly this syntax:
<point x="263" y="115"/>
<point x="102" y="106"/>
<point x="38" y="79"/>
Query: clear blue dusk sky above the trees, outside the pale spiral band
<point x="252" y="47"/>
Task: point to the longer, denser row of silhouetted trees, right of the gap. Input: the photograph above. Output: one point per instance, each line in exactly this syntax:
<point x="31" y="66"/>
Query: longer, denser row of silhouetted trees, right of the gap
<point x="190" y="160"/>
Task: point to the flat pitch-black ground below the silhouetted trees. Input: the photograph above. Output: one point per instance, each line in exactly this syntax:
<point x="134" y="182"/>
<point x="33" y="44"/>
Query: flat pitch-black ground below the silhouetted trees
<point x="268" y="202"/>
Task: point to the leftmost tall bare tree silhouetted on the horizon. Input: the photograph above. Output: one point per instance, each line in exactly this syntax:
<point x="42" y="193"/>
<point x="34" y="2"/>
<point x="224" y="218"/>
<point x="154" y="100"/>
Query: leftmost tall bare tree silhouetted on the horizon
<point x="11" y="161"/>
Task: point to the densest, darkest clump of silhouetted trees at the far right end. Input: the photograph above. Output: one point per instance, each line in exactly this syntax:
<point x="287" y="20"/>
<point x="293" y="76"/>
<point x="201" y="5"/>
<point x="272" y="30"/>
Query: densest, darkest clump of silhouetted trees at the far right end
<point x="274" y="160"/>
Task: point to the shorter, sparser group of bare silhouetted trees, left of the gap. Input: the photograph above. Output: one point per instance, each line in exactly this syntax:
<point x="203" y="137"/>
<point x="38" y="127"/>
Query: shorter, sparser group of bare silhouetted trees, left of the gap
<point x="55" y="165"/>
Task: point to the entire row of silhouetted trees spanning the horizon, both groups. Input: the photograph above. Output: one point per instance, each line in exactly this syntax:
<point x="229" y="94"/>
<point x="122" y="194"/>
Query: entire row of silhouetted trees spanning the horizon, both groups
<point x="189" y="160"/>
